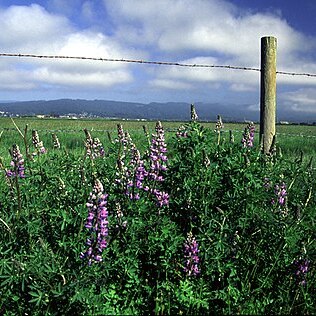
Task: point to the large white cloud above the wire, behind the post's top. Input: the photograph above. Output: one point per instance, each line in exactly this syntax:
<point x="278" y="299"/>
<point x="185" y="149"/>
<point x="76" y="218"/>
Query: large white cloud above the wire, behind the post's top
<point x="212" y="26"/>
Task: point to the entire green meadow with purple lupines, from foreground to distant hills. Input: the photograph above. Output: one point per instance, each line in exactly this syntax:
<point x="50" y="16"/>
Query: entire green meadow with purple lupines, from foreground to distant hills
<point x="177" y="218"/>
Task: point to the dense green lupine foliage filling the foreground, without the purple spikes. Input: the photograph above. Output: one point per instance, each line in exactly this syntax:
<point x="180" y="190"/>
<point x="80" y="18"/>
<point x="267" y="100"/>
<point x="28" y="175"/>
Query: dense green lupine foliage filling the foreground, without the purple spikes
<point x="221" y="192"/>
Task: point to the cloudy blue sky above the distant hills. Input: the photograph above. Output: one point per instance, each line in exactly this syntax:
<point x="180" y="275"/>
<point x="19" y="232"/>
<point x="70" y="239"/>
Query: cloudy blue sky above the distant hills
<point x="188" y="31"/>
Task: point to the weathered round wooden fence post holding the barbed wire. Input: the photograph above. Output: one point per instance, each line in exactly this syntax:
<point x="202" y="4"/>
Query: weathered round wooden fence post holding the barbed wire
<point x="268" y="91"/>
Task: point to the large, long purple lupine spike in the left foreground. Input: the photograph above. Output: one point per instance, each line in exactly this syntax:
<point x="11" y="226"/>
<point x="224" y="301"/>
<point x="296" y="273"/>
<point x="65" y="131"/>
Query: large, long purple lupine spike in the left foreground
<point x="97" y="224"/>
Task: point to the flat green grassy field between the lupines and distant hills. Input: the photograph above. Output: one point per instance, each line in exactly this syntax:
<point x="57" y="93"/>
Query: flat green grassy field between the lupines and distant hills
<point x="292" y="139"/>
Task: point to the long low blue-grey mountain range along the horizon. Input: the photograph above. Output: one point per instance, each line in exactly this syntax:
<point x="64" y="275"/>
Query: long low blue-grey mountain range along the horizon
<point x="152" y="111"/>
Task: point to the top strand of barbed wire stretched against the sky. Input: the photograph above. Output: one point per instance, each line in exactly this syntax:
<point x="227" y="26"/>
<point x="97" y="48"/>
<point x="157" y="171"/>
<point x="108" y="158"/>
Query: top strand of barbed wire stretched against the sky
<point x="151" y="62"/>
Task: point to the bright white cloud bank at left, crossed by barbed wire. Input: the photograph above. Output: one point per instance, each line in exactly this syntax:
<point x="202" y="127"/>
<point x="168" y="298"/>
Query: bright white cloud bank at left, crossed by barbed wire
<point x="31" y="29"/>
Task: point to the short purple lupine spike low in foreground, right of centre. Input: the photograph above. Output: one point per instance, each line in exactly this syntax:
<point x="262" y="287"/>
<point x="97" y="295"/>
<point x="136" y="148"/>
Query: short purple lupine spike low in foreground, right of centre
<point x="191" y="256"/>
